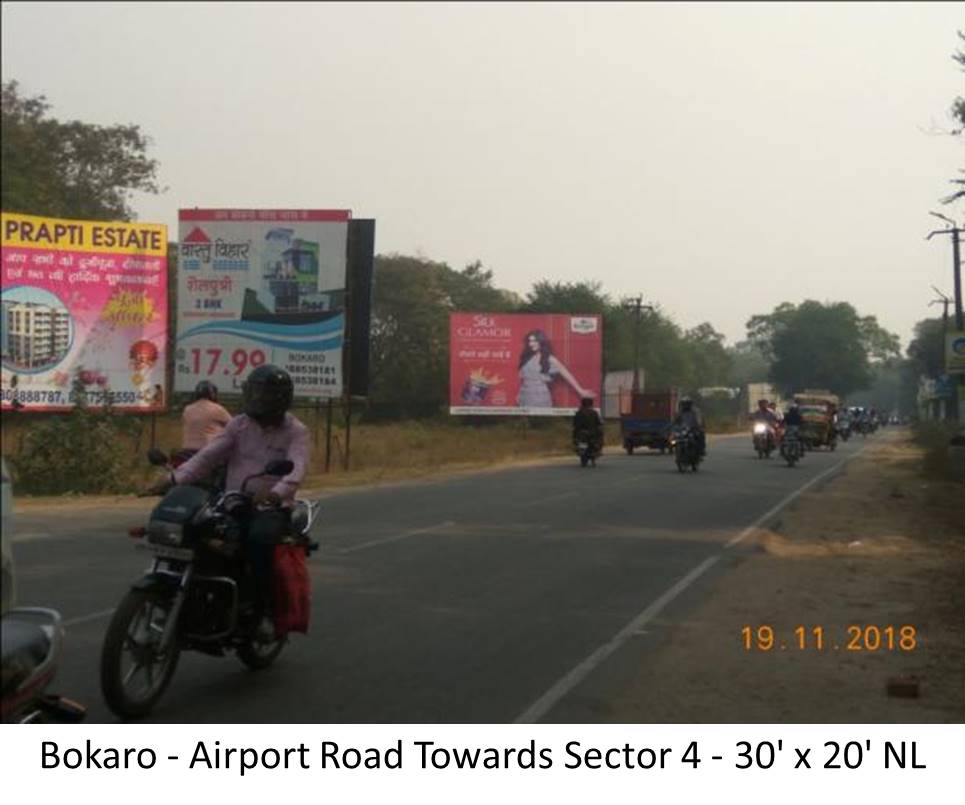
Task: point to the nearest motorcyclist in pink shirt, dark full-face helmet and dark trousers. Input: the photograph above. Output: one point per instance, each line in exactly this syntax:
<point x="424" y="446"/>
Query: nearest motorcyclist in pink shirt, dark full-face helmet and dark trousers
<point x="265" y="432"/>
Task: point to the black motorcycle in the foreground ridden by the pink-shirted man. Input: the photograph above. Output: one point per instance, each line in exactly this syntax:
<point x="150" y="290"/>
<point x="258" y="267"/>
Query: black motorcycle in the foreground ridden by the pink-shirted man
<point x="198" y="594"/>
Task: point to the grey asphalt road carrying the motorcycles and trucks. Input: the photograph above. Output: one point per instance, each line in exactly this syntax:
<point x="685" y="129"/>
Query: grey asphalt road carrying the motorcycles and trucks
<point x="525" y="594"/>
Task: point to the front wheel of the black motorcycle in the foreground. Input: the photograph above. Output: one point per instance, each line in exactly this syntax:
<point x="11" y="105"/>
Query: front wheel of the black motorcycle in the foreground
<point x="134" y="671"/>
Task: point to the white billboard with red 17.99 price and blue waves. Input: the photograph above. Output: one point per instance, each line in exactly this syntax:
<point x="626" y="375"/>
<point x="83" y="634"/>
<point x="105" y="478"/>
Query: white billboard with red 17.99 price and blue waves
<point x="261" y="286"/>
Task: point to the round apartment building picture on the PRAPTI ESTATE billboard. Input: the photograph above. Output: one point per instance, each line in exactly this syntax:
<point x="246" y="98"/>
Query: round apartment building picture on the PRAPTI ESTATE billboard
<point x="36" y="334"/>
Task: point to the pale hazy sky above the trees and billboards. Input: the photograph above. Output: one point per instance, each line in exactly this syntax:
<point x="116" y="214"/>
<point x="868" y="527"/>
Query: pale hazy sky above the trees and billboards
<point x="719" y="159"/>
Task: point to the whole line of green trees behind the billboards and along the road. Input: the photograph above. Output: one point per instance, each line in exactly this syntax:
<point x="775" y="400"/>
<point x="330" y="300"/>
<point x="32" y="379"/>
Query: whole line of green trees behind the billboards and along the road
<point x="78" y="170"/>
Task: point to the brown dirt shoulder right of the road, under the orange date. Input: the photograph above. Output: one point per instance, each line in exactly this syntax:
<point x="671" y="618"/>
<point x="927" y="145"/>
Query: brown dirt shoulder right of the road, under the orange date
<point x="870" y="553"/>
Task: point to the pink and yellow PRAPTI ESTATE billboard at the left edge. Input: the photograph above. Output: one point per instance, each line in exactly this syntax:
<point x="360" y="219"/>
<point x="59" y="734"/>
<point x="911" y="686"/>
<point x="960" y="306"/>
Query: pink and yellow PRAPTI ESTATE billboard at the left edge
<point x="83" y="302"/>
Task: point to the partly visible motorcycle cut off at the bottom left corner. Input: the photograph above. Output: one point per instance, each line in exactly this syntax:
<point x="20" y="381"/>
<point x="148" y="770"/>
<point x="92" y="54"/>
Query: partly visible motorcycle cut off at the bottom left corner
<point x="32" y="650"/>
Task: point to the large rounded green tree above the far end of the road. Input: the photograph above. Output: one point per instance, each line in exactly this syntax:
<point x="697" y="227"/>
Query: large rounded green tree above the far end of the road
<point x="815" y="345"/>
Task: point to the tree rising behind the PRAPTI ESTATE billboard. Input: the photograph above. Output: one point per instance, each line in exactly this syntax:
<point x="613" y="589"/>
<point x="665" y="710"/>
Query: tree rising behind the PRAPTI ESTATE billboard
<point x="72" y="169"/>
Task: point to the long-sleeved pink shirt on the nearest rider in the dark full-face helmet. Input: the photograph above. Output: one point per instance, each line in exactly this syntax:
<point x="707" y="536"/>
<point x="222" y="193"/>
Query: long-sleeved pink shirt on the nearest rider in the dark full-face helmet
<point x="247" y="447"/>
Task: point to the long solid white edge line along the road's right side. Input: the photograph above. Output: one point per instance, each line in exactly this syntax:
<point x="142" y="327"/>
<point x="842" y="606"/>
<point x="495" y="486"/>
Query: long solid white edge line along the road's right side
<point x="545" y="703"/>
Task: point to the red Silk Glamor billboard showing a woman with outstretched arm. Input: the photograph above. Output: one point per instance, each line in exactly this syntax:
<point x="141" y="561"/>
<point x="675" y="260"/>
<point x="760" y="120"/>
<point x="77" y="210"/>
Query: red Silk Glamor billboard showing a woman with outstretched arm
<point x="532" y="364"/>
